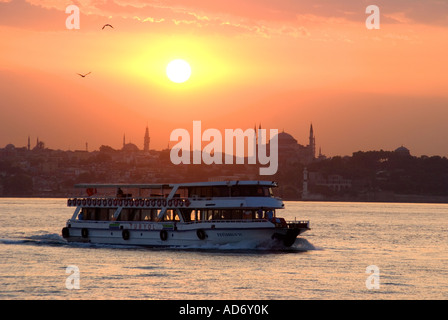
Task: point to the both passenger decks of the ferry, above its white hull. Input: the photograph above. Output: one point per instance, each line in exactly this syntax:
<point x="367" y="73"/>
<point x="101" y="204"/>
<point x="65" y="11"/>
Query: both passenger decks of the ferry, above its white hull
<point x="213" y="201"/>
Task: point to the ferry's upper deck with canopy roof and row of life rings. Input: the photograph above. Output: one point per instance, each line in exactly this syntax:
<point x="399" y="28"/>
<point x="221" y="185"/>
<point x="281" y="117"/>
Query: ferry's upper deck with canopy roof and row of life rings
<point x="236" y="194"/>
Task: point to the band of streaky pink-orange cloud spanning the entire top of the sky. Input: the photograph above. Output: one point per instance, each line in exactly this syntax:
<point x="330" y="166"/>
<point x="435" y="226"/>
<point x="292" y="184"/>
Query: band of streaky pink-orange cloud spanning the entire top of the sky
<point x="258" y="17"/>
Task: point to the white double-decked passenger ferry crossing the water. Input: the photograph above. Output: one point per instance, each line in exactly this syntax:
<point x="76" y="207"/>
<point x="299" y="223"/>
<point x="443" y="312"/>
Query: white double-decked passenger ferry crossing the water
<point x="180" y="215"/>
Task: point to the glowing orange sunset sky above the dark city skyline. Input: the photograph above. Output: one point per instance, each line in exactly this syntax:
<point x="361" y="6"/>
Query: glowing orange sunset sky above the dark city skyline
<point x="283" y="64"/>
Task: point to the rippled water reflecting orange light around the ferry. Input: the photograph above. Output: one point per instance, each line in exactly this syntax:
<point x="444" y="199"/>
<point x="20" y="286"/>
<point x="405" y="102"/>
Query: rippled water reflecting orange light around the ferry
<point x="407" y="242"/>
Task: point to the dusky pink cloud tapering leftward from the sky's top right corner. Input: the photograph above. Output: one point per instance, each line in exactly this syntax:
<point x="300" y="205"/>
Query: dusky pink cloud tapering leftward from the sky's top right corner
<point x="427" y="12"/>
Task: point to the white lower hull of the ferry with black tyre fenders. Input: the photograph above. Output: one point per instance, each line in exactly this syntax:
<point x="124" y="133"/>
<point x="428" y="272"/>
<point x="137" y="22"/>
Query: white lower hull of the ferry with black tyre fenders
<point x="197" y="235"/>
